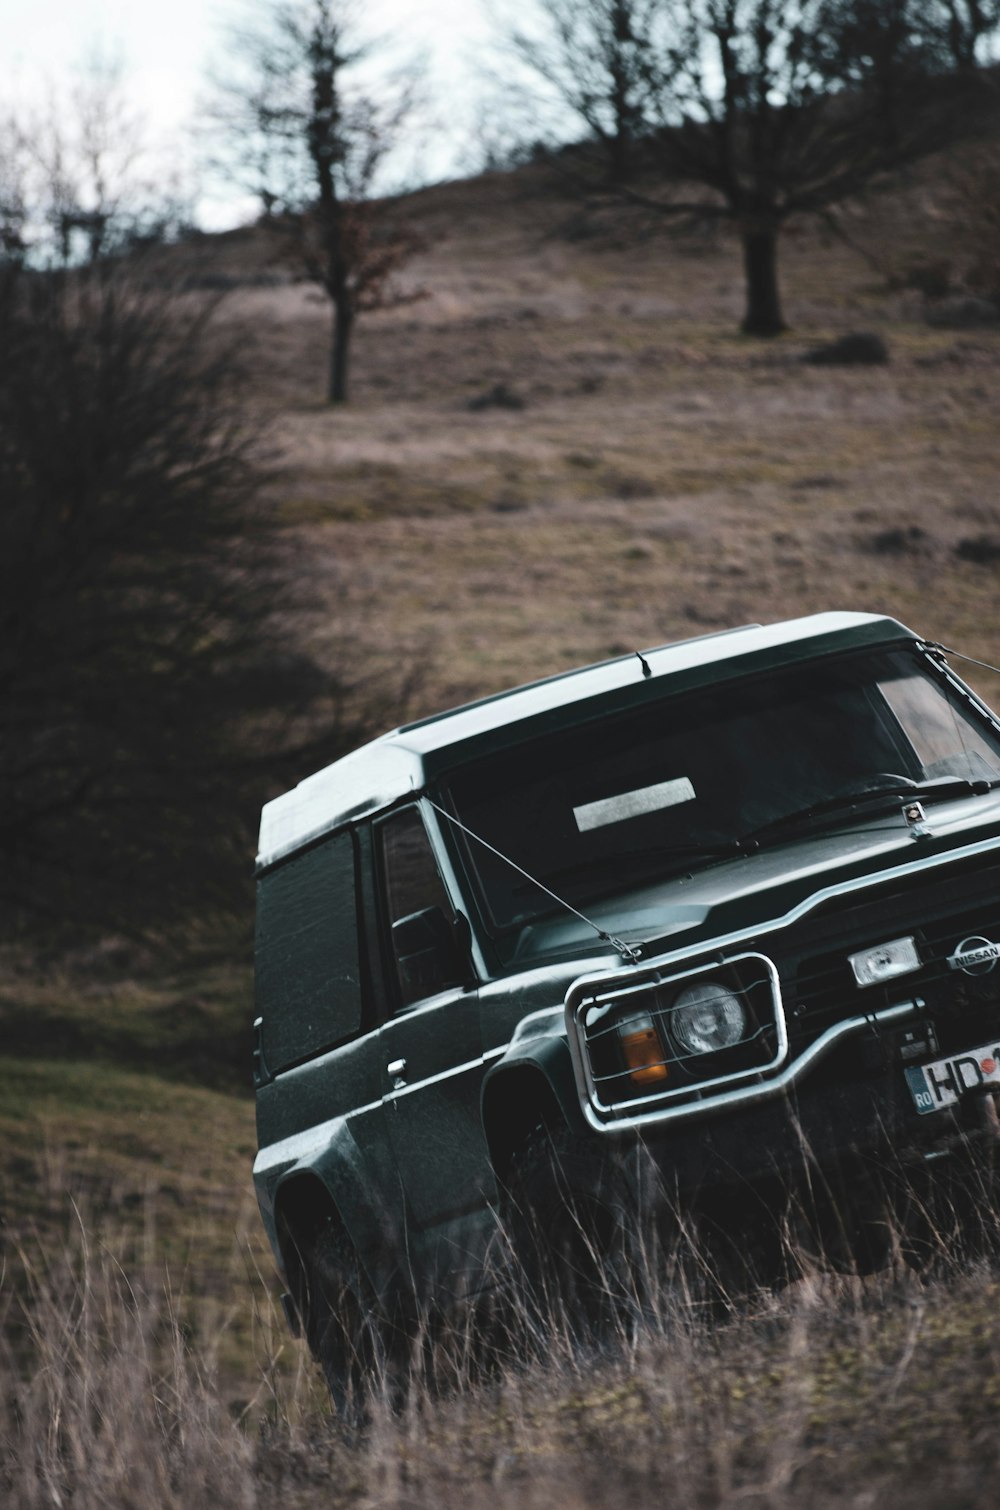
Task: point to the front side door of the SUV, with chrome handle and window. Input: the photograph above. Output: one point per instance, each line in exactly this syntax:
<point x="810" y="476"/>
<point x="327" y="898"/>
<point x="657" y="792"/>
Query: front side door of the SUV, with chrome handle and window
<point x="431" y="1056"/>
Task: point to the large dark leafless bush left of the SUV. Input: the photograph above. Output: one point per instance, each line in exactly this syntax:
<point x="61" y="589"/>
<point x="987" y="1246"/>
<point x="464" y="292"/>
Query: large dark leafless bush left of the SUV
<point x="152" y="682"/>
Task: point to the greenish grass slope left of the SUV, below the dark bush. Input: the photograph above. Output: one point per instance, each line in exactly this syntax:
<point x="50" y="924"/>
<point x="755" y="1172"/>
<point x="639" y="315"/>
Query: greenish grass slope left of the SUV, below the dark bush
<point x="128" y="1129"/>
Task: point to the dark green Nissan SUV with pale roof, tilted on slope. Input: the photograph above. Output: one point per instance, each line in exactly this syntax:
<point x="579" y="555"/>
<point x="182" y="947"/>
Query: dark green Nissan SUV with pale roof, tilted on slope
<point x="679" y="934"/>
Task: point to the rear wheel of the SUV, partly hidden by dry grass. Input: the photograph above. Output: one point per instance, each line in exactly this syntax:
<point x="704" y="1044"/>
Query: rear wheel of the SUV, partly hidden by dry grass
<point x="344" y="1324"/>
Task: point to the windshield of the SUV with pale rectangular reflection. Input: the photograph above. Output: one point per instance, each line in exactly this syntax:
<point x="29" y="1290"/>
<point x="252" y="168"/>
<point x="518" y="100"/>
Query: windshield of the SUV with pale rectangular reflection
<point x="608" y="807"/>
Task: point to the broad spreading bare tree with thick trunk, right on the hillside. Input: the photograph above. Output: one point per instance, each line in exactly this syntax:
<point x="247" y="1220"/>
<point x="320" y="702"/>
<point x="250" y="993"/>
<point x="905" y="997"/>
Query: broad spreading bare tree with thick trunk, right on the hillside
<point x="776" y="109"/>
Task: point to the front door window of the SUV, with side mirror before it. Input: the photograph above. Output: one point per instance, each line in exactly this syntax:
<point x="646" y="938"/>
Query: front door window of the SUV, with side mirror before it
<point x="418" y="910"/>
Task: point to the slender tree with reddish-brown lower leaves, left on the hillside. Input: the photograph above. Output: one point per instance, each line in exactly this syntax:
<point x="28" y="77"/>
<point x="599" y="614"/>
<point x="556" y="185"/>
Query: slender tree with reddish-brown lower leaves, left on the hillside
<point x="309" y="141"/>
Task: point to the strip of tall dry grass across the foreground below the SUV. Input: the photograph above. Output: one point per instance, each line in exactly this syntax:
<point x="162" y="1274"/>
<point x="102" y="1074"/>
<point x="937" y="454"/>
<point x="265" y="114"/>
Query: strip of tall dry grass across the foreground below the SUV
<point x="838" y="1391"/>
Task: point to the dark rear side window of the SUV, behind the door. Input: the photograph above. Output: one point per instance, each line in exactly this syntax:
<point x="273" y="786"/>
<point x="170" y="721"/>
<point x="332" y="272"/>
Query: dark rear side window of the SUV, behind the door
<point x="309" y="970"/>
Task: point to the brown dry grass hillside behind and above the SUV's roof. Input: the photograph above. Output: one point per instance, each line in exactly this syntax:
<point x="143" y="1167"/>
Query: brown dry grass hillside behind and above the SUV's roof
<point x="664" y="478"/>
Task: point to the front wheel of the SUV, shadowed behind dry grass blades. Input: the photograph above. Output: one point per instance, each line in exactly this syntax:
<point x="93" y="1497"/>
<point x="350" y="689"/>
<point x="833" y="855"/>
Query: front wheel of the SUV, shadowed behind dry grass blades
<point x="575" y="1233"/>
